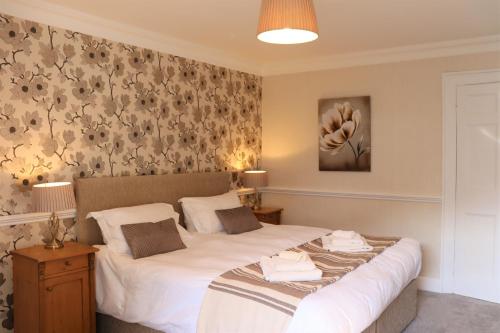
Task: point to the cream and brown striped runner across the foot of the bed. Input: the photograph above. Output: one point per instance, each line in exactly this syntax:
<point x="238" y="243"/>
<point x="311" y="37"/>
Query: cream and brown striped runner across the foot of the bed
<point x="246" y="286"/>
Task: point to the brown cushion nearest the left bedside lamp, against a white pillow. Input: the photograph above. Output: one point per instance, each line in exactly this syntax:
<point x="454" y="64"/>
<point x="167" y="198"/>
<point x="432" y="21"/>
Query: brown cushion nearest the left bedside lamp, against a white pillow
<point x="147" y="239"/>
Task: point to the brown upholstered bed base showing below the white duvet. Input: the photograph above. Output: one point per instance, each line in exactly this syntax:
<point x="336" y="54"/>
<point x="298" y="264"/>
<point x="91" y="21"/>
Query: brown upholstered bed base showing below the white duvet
<point x="394" y="319"/>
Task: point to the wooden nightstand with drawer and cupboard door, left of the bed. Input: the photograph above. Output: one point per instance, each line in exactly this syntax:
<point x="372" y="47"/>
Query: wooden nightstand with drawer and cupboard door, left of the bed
<point x="54" y="290"/>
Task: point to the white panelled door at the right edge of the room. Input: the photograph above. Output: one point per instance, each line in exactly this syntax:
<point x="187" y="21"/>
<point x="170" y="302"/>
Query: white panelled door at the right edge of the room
<point x="477" y="227"/>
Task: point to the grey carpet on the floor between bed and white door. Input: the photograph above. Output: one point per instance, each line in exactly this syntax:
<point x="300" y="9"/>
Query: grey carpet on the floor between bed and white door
<point x="445" y="313"/>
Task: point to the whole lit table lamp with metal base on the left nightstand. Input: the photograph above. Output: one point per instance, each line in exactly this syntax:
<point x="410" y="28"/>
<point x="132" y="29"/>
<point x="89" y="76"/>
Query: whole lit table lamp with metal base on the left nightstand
<point x="53" y="198"/>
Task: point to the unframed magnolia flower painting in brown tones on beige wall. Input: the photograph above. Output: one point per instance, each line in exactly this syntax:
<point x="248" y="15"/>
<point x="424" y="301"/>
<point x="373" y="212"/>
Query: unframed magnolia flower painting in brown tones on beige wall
<point x="345" y="134"/>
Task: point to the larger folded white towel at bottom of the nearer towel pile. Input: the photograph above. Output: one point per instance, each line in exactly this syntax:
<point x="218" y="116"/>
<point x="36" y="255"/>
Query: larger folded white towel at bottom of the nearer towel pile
<point x="268" y="266"/>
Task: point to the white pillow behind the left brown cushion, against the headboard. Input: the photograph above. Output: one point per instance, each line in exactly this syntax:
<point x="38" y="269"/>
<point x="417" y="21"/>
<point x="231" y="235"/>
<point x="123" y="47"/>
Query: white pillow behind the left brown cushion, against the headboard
<point x="110" y="221"/>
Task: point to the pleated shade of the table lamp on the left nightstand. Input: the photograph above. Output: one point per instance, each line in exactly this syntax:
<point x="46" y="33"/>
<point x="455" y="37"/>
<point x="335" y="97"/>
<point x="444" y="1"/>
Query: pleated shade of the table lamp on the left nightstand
<point x="53" y="197"/>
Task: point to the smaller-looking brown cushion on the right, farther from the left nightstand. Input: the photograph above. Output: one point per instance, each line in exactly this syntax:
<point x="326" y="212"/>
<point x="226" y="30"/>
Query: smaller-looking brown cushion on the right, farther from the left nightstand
<point x="238" y="220"/>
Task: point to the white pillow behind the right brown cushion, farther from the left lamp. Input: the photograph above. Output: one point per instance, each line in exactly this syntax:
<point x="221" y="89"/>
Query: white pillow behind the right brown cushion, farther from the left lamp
<point x="199" y="212"/>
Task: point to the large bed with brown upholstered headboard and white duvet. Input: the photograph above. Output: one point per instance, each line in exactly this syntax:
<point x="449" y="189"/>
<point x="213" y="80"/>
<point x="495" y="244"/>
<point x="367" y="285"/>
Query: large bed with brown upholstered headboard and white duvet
<point x="366" y="299"/>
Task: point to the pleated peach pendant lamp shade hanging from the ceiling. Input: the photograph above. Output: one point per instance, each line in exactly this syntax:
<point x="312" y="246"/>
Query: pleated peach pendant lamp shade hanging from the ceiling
<point x="287" y="22"/>
